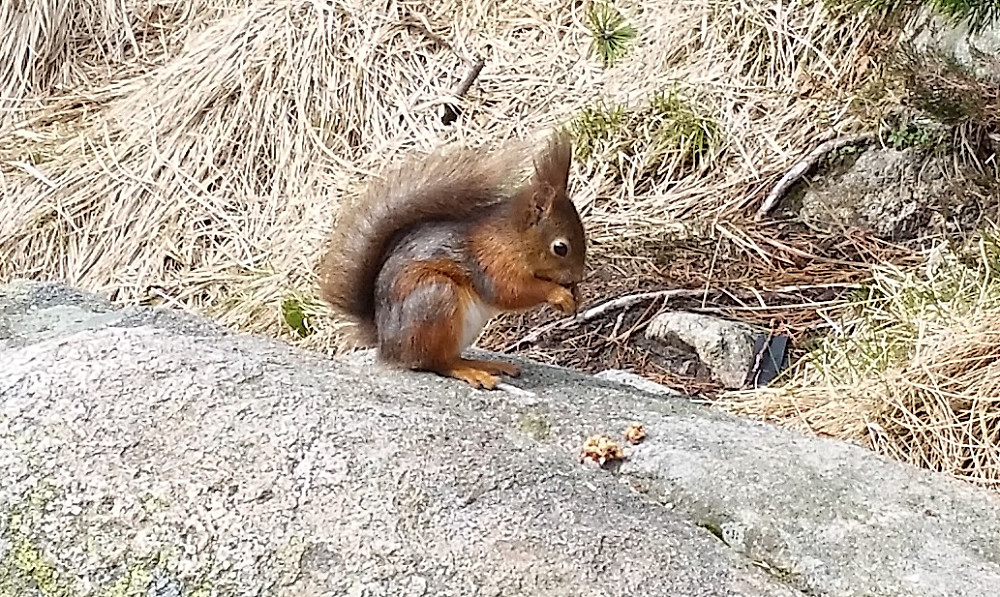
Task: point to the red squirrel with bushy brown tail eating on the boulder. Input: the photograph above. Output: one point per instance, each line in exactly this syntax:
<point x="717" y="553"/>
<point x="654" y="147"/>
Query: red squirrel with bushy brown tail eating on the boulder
<point x="439" y="247"/>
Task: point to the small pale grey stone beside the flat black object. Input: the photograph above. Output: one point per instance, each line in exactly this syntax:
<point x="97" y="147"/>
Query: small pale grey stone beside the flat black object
<point x="725" y="347"/>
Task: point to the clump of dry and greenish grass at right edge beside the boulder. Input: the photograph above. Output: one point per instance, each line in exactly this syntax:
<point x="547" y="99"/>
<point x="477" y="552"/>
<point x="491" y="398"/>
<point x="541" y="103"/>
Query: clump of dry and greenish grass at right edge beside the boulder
<point x="913" y="370"/>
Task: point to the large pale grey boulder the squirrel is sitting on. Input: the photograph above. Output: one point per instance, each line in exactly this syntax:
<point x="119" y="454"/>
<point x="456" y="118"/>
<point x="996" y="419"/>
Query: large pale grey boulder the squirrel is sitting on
<point x="146" y="452"/>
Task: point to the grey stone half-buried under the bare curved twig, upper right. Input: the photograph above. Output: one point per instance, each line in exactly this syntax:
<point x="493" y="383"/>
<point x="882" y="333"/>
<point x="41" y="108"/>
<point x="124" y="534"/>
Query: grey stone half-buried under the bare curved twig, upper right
<point x="898" y="194"/>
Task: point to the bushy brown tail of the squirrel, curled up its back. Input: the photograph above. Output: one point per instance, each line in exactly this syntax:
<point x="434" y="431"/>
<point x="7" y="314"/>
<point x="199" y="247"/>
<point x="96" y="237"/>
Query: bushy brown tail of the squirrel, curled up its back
<point x="441" y="187"/>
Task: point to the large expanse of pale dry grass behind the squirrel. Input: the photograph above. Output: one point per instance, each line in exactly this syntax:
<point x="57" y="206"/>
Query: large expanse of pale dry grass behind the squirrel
<point x="211" y="172"/>
